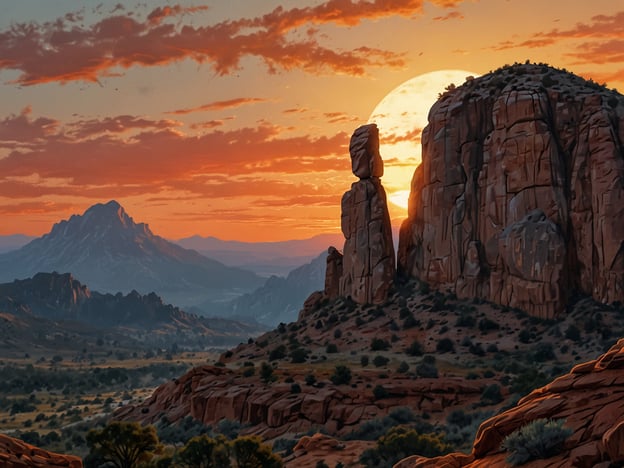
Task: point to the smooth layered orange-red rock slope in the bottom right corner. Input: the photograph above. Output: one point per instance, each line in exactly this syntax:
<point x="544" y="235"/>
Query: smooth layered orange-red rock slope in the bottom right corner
<point x="590" y="399"/>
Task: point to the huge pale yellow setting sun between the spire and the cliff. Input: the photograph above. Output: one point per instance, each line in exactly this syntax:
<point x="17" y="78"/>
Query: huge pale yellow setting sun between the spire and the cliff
<point x="401" y="116"/>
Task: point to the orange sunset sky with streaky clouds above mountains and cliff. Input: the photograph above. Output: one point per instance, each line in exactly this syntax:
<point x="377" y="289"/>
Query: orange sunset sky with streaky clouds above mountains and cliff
<point x="232" y="118"/>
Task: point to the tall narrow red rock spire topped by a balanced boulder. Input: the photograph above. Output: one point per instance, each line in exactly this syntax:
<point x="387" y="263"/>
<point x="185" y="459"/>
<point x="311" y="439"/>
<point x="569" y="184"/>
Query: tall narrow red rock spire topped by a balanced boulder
<point x="368" y="257"/>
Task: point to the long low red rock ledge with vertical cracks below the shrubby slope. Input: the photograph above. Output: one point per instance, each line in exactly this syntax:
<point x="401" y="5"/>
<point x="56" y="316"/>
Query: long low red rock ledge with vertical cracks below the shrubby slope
<point x="210" y="394"/>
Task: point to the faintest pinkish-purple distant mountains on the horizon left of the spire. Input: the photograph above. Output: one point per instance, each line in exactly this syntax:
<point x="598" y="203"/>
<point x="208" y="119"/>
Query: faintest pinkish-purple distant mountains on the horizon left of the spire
<point x="263" y="258"/>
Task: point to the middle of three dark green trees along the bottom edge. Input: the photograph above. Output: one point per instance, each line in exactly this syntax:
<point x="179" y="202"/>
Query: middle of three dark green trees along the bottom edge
<point x="204" y="452"/>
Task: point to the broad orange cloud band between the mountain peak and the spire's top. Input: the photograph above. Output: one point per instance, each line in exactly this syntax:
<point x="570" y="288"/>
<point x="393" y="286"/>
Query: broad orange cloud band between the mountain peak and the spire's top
<point x="136" y="155"/>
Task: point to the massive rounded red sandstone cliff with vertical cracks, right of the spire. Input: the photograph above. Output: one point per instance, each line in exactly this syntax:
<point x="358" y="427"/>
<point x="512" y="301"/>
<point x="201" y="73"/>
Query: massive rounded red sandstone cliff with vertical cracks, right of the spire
<point x="520" y="194"/>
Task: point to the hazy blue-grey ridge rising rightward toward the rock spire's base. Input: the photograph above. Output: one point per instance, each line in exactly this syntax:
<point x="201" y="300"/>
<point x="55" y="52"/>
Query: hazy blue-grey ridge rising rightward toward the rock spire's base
<point x="279" y="299"/>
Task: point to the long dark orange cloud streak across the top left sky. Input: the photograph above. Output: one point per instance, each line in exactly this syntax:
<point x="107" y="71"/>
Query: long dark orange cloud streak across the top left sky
<point x="64" y="51"/>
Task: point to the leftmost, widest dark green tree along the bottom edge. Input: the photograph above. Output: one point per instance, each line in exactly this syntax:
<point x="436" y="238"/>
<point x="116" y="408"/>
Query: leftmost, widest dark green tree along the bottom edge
<point x="123" y="444"/>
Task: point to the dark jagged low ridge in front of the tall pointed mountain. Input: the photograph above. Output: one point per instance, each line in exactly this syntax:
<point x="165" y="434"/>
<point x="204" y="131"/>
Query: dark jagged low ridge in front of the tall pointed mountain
<point x="53" y="302"/>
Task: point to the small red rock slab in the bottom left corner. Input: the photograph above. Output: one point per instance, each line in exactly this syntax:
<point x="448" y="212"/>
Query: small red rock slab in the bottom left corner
<point x="17" y="454"/>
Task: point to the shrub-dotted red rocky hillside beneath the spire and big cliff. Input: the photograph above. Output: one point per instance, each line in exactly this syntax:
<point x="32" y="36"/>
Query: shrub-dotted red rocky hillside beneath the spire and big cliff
<point x="425" y="351"/>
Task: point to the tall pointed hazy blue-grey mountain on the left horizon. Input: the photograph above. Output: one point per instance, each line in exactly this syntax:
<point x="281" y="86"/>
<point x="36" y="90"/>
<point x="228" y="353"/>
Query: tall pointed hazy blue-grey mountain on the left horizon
<point x="106" y="249"/>
